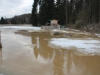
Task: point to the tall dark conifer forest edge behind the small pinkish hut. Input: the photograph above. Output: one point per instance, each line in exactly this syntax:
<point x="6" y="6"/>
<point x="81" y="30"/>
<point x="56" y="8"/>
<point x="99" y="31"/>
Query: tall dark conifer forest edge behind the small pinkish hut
<point x="66" y="11"/>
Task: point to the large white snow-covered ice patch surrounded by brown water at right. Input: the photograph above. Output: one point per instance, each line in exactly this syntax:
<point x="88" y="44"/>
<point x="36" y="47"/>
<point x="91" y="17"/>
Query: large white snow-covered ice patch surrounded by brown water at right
<point x="88" y="46"/>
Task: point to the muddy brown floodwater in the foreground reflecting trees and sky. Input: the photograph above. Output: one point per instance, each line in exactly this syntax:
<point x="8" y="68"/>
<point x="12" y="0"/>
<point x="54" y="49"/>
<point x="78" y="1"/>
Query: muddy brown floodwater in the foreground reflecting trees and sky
<point x="28" y="53"/>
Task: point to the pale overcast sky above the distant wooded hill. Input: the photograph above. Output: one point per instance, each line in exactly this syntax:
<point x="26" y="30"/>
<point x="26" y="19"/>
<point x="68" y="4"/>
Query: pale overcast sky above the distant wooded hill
<point x="10" y="8"/>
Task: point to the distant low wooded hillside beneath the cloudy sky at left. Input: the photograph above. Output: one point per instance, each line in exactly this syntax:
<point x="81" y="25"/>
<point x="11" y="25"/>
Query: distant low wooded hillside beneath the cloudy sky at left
<point x="21" y="19"/>
